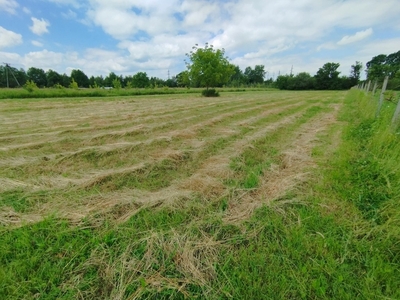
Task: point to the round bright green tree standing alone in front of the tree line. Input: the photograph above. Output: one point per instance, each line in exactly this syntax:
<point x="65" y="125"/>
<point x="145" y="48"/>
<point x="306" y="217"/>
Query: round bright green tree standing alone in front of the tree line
<point x="208" y="67"/>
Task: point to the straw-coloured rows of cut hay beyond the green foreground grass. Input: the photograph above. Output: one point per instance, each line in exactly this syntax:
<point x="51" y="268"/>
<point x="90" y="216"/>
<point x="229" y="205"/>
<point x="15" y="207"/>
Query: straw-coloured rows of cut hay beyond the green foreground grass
<point x="73" y="158"/>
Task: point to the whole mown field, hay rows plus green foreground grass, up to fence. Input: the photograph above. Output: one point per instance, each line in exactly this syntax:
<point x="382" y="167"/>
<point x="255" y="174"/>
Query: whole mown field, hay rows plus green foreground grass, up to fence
<point x="178" y="196"/>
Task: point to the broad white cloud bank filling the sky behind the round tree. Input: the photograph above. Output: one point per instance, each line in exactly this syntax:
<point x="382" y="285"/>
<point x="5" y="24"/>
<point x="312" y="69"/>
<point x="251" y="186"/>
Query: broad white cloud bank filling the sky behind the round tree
<point x="154" y="37"/>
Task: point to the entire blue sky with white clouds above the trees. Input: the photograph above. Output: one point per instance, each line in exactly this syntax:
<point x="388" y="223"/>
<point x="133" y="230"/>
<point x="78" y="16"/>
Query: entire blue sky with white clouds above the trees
<point x="153" y="36"/>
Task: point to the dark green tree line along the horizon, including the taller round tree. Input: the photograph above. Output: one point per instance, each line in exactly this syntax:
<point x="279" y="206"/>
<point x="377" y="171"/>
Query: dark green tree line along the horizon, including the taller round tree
<point x="215" y="71"/>
